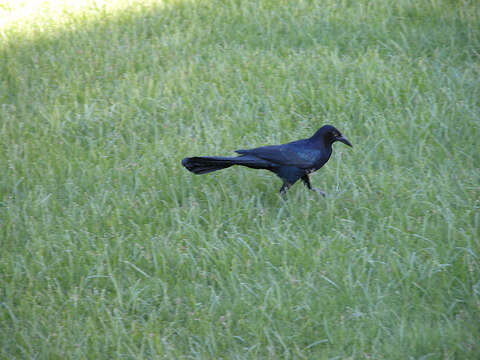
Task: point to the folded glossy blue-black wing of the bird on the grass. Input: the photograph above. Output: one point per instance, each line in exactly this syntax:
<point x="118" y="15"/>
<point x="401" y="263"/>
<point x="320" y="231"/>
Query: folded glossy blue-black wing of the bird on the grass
<point x="297" y="154"/>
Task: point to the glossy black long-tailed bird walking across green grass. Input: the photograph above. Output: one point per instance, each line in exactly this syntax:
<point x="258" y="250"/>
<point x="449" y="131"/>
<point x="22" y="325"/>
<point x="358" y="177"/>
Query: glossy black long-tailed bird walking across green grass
<point x="291" y="161"/>
